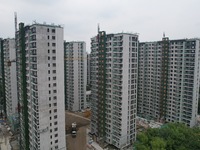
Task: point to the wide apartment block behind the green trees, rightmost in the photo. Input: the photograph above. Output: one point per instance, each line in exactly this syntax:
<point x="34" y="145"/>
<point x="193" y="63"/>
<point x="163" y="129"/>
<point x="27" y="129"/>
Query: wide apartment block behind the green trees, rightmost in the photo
<point x="168" y="80"/>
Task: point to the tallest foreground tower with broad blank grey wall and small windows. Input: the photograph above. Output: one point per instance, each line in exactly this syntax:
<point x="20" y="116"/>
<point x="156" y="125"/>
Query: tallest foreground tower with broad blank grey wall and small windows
<point x="40" y="76"/>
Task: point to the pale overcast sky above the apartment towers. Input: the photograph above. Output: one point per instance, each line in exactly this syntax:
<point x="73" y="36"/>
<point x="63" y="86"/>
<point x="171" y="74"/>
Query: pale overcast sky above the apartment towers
<point x="149" y="18"/>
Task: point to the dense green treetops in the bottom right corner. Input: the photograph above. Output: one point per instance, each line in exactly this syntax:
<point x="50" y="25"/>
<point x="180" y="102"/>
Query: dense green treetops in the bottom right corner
<point x="173" y="136"/>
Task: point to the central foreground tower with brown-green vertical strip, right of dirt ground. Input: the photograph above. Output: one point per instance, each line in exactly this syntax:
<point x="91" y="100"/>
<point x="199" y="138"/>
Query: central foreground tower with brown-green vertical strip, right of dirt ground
<point x="114" y="87"/>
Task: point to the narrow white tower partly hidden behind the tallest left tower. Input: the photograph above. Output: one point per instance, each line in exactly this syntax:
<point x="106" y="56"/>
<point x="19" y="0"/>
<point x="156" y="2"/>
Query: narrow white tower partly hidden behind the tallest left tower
<point x="10" y="77"/>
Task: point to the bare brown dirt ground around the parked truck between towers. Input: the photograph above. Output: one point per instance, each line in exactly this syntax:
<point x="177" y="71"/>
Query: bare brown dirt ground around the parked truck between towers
<point x="79" y="142"/>
